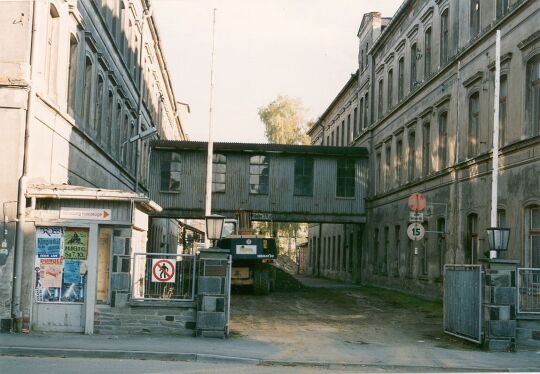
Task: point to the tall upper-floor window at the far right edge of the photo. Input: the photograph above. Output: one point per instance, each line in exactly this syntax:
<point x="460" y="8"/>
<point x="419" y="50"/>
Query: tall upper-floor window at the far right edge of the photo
<point x="532" y="101"/>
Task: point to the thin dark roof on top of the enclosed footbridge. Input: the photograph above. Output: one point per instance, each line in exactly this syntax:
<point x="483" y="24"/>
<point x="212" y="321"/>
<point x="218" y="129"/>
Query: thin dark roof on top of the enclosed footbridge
<point x="307" y="150"/>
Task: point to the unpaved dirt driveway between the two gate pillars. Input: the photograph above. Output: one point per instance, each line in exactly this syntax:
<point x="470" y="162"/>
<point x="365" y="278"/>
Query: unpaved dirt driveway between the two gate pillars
<point x="318" y="319"/>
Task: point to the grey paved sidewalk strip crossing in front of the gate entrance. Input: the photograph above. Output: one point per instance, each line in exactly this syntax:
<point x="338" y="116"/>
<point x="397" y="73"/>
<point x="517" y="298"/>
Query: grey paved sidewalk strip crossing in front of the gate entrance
<point x="314" y="349"/>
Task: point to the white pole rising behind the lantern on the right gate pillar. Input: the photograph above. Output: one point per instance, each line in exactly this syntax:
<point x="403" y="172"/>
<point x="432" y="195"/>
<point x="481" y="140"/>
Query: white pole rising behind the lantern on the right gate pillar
<point x="495" y="170"/>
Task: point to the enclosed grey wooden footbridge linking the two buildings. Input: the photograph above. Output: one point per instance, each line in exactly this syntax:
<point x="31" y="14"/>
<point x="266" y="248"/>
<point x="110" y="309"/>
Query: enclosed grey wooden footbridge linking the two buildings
<point x="275" y="182"/>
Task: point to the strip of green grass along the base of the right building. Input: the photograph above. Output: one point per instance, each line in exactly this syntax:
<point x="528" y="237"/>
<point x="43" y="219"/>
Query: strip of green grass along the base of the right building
<point x="399" y="299"/>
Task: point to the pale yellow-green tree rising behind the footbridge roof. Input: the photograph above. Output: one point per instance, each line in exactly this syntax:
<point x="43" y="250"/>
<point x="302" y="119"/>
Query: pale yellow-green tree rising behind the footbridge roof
<point x="284" y="121"/>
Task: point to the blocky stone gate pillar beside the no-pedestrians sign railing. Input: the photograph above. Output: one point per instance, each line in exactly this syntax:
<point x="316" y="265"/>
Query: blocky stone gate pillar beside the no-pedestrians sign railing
<point x="213" y="293"/>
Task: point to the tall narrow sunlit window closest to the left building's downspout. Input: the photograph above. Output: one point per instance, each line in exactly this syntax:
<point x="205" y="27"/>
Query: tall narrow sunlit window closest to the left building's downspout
<point x="51" y="53"/>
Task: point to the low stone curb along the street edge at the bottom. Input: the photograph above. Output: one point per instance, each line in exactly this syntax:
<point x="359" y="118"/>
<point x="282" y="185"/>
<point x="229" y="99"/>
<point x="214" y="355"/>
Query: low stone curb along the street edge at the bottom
<point x="211" y="358"/>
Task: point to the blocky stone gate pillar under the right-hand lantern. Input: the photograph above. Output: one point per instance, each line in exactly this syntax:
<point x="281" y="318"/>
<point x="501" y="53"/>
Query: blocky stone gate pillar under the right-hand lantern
<point x="500" y="299"/>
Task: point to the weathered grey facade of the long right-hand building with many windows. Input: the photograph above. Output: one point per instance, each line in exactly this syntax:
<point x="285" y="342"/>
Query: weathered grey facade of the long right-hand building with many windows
<point x="420" y="139"/>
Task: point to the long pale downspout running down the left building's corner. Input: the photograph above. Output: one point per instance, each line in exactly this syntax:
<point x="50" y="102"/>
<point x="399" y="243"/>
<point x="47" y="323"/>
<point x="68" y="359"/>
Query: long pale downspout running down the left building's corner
<point x="16" y="312"/>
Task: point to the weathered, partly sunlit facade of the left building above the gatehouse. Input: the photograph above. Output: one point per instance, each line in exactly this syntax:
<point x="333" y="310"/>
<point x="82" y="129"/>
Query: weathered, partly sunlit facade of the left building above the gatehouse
<point x="85" y="87"/>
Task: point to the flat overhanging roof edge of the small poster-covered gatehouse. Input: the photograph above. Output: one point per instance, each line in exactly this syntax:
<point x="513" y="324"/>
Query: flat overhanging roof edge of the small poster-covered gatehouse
<point x="70" y="192"/>
